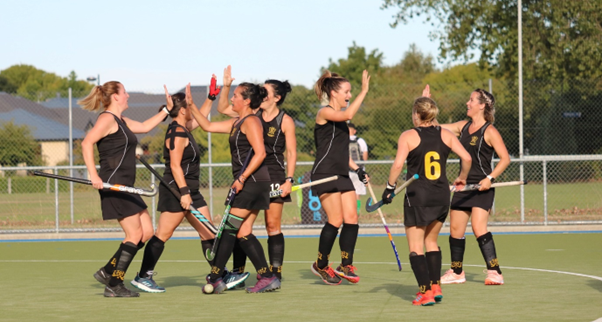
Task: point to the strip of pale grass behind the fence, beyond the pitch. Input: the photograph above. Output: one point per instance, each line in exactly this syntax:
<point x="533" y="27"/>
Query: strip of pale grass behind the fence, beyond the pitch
<point x="566" y="202"/>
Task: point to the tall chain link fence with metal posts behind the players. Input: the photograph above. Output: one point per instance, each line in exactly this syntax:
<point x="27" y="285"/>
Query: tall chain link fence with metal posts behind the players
<point x="563" y="161"/>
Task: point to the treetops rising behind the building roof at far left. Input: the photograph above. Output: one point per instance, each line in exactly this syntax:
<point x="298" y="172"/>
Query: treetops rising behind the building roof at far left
<point x="38" y="85"/>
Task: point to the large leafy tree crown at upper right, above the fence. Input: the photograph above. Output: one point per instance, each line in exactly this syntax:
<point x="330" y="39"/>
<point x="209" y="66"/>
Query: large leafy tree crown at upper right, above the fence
<point x="561" y="38"/>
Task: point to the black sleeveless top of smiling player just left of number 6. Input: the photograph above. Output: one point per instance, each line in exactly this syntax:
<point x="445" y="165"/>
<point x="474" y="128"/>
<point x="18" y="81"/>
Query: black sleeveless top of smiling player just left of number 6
<point x="332" y="147"/>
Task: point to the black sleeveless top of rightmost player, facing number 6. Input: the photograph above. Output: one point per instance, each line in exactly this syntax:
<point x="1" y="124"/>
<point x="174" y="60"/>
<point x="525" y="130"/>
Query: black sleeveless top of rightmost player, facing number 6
<point x="480" y="151"/>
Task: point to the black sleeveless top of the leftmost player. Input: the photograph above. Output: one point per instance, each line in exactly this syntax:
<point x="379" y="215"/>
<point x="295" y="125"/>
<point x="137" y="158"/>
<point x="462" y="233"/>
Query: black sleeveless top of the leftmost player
<point x="117" y="153"/>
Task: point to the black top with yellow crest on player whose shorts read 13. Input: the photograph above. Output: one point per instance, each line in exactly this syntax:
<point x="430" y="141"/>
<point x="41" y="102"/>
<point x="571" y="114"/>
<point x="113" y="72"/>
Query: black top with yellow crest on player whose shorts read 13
<point x="274" y="139"/>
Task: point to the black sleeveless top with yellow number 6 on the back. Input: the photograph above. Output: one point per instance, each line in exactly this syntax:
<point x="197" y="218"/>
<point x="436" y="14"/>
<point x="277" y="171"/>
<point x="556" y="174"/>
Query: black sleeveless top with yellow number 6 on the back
<point x="429" y="160"/>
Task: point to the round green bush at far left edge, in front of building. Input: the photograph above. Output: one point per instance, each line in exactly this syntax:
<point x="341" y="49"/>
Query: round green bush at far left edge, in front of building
<point x="18" y="146"/>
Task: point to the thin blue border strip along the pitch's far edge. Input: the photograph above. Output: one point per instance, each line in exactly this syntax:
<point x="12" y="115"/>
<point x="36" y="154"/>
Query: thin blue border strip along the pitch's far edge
<point x="296" y="236"/>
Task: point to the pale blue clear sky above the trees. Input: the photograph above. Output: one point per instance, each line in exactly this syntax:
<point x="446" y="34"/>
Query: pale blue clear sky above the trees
<point x="145" y="44"/>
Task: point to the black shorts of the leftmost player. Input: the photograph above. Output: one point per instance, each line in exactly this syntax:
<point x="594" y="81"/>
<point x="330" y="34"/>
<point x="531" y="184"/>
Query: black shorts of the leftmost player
<point x="120" y="205"/>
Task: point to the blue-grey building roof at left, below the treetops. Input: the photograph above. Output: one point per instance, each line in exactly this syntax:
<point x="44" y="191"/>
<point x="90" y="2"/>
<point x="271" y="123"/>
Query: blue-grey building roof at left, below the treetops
<point x="43" y="129"/>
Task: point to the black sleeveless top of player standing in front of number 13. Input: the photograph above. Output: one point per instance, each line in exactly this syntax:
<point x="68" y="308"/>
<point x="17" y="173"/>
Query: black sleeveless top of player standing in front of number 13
<point x="239" y="148"/>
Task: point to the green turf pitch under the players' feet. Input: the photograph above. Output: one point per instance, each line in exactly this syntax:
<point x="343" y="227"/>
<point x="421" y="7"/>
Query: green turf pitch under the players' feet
<point x="52" y="281"/>
